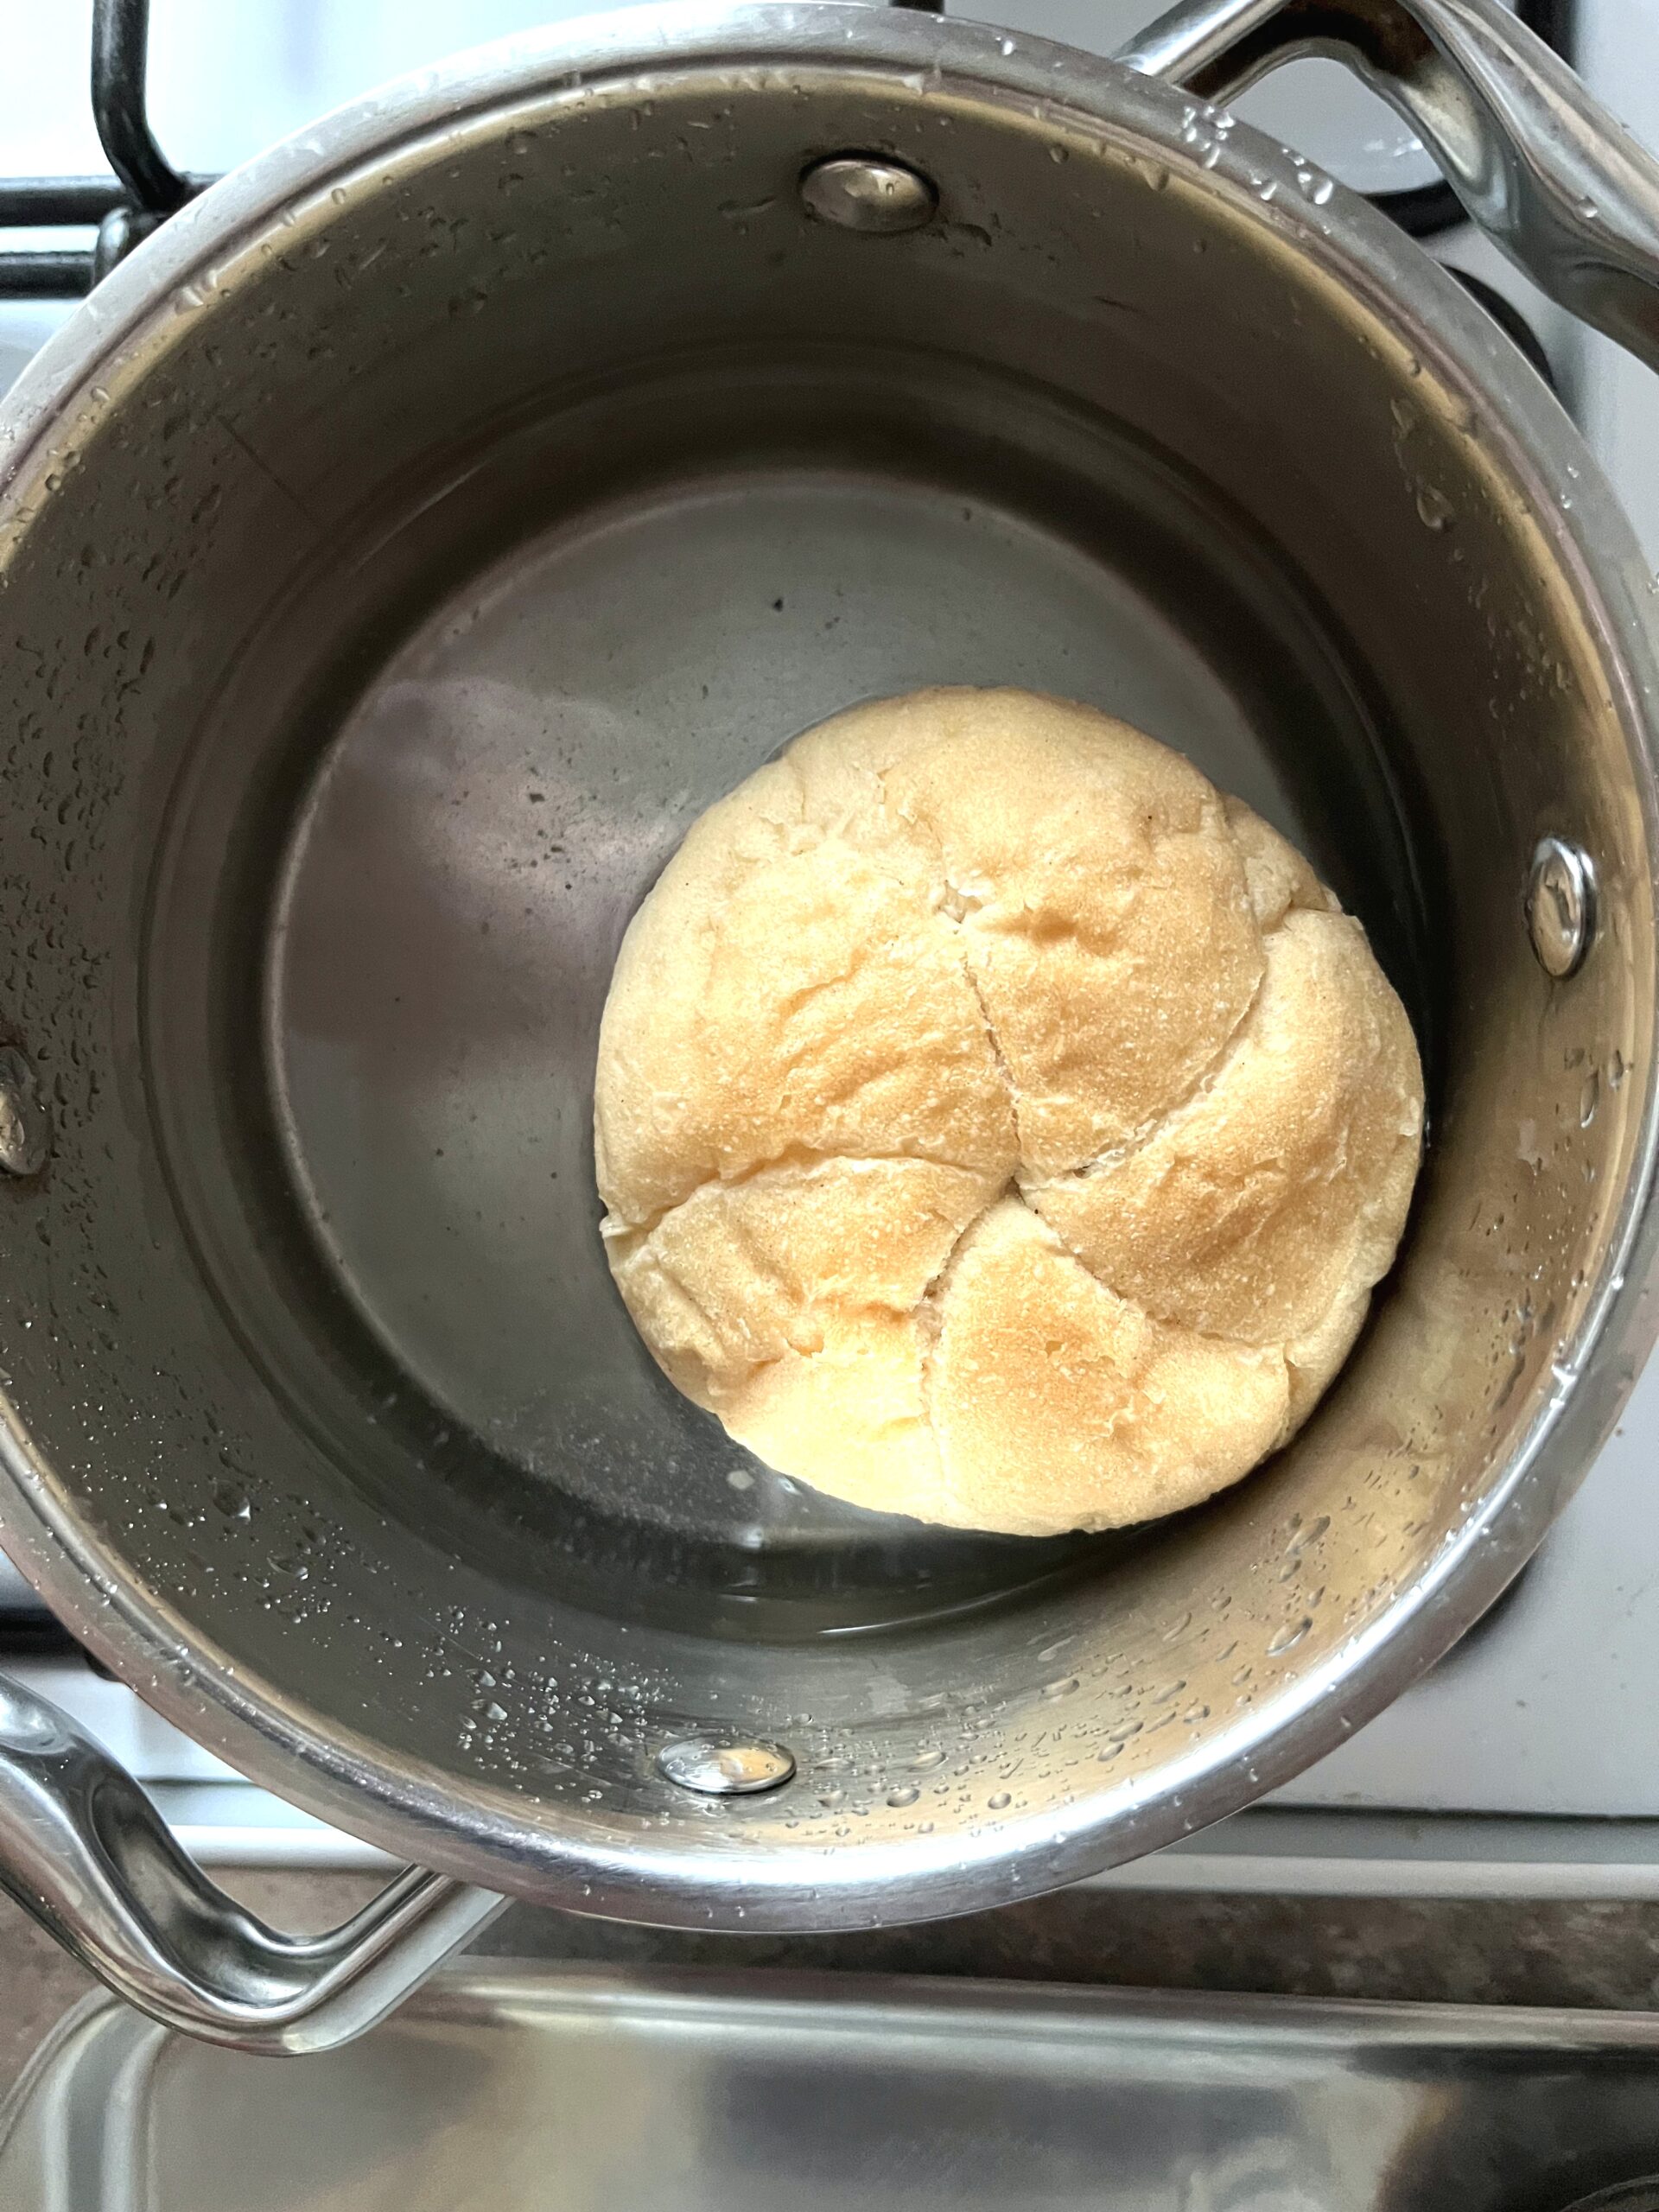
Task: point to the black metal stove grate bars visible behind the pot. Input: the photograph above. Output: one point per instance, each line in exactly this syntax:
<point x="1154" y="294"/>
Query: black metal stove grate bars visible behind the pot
<point x="145" y="187"/>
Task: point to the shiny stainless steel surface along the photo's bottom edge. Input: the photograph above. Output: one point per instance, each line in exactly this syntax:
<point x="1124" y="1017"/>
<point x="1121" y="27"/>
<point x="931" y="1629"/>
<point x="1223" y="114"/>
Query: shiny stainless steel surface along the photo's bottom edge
<point x="525" y="2089"/>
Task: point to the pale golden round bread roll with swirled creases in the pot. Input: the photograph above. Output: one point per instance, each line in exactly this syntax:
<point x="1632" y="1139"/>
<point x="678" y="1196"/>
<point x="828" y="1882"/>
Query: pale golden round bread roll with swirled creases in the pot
<point x="997" y="1125"/>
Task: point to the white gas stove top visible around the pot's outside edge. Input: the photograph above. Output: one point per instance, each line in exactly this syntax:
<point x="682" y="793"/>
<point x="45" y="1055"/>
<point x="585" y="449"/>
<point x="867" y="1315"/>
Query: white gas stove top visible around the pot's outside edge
<point x="1530" y="1760"/>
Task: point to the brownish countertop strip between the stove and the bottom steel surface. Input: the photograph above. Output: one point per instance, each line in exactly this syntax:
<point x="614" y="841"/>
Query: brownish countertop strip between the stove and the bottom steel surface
<point x="1452" y="1950"/>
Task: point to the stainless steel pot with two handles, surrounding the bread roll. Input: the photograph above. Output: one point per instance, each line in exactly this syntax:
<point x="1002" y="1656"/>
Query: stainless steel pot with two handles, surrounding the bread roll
<point x="397" y="554"/>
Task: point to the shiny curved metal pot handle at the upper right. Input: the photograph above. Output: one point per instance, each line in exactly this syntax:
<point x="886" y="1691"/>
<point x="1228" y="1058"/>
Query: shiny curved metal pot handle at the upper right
<point x="1547" y="174"/>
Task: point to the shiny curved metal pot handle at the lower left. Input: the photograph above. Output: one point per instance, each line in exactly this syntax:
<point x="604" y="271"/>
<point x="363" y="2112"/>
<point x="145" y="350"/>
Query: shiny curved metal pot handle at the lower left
<point x="92" y="1859"/>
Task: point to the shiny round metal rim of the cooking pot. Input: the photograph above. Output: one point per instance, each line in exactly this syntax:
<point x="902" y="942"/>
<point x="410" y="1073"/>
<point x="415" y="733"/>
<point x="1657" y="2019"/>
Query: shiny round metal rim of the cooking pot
<point x="483" y="1835"/>
